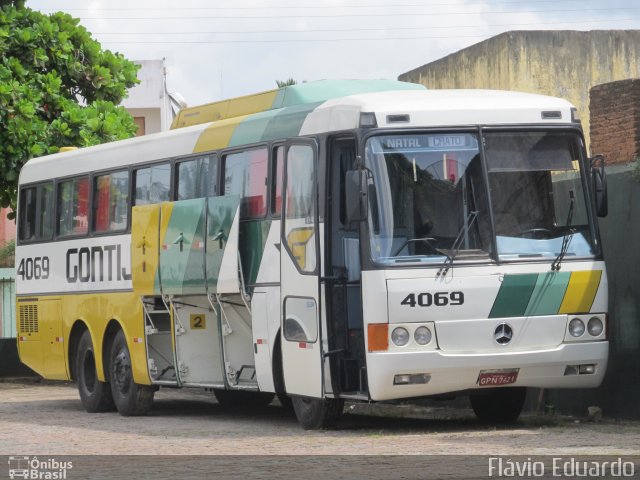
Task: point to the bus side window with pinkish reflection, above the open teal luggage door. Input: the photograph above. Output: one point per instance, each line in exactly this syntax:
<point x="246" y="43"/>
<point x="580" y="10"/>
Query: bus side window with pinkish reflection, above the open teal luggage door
<point x="246" y="176"/>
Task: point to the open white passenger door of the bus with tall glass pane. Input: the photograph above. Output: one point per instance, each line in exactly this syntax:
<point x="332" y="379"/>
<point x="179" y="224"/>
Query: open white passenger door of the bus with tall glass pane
<point x="300" y="272"/>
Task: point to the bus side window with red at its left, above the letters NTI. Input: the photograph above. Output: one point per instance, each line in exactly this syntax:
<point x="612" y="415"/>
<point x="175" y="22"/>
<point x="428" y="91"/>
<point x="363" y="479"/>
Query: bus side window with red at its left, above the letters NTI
<point x="111" y="202"/>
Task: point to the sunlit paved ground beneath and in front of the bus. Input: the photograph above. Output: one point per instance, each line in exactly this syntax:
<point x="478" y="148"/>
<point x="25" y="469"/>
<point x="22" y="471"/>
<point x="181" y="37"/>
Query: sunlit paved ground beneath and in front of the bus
<point x="47" y="419"/>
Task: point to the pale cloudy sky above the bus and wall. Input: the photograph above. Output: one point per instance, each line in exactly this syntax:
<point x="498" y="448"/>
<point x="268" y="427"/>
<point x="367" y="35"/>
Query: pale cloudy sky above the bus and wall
<point x="225" y="48"/>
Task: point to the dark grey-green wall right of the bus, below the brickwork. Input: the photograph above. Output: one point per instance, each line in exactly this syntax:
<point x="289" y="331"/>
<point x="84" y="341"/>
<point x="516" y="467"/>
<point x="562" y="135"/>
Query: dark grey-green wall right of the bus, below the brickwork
<point x="619" y="395"/>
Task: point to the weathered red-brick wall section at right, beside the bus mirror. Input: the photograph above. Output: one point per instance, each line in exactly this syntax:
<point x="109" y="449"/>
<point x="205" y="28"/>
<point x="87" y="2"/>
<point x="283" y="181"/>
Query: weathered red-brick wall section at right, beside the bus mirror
<point x="615" y="120"/>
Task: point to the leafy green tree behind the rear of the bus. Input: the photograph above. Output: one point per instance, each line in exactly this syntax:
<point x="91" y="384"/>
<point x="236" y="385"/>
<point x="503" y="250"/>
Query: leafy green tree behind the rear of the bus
<point x="58" y="88"/>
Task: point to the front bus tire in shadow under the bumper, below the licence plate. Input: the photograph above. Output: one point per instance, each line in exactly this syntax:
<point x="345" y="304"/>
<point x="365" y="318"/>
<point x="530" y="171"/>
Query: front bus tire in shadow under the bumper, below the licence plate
<point x="500" y="406"/>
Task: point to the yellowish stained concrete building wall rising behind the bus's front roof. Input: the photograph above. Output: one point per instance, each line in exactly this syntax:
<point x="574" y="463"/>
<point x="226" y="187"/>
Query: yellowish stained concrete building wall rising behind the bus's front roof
<point x="560" y="63"/>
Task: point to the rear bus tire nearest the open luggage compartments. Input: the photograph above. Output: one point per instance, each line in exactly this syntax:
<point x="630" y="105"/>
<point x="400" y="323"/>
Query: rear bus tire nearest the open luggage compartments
<point x="130" y="398"/>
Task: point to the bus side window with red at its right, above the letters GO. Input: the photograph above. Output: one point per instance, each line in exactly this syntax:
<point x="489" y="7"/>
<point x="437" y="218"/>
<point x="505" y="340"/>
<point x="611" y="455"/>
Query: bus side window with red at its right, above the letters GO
<point x="73" y="207"/>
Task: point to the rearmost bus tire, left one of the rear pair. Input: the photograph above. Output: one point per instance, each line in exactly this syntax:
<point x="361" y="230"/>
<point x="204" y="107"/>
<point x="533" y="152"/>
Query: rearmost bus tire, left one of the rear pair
<point x="94" y="394"/>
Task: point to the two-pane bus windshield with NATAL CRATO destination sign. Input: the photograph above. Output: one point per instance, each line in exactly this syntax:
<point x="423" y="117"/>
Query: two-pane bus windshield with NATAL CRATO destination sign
<point x="429" y="200"/>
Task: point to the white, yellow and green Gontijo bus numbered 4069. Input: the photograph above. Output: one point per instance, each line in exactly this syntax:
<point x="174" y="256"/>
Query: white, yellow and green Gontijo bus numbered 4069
<point x="361" y="240"/>
